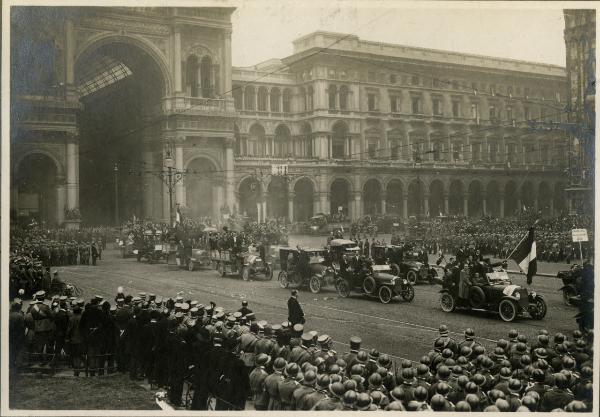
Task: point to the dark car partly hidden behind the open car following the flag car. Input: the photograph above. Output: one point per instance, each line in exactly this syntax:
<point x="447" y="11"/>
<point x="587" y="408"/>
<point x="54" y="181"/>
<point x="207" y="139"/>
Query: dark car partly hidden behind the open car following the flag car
<point x="404" y="261"/>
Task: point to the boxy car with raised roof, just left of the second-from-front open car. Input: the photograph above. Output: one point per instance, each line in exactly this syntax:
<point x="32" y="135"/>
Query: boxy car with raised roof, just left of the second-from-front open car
<point x="304" y="268"/>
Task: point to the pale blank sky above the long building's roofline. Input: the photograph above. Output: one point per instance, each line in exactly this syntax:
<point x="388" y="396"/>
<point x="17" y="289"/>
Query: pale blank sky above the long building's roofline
<point x="265" y="30"/>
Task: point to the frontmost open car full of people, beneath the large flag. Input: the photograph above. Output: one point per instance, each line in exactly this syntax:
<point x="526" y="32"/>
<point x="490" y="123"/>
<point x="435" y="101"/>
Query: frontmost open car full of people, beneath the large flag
<point x="491" y="290"/>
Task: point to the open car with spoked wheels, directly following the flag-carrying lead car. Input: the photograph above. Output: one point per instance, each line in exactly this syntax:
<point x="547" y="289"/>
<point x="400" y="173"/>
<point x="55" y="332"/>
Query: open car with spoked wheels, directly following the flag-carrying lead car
<point x="374" y="281"/>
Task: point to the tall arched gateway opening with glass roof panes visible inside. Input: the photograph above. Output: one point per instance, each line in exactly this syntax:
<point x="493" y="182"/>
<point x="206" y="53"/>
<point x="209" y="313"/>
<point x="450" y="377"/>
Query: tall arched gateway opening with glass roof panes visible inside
<point x="121" y="87"/>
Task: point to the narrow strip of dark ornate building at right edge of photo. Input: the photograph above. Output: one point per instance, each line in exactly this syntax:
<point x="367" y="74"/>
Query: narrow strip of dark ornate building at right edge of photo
<point x="580" y="41"/>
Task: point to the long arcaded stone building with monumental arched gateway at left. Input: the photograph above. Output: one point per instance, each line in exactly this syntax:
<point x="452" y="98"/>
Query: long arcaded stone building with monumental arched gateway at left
<point x="361" y="127"/>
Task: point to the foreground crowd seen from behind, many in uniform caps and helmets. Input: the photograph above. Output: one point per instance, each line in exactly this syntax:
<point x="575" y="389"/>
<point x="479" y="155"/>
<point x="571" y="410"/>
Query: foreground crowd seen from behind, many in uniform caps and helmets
<point x="196" y="352"/>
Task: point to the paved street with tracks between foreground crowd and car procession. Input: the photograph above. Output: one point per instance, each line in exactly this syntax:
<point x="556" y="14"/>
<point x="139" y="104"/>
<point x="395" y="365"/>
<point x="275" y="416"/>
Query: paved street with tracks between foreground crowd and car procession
<point x="404" y="330"/>
